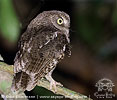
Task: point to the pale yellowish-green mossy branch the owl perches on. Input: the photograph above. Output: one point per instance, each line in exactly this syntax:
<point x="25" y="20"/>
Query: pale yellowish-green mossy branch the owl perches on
<point x="5" y="84"/>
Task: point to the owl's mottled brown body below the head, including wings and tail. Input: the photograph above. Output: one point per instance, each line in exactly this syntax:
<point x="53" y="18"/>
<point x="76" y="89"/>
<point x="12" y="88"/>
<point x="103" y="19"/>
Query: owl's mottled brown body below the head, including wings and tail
<point x="37" y="56"/>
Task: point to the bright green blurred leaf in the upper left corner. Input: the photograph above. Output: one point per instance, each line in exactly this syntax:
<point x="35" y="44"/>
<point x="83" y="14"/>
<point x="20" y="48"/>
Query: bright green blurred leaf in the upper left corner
<point x="9" y="24"/>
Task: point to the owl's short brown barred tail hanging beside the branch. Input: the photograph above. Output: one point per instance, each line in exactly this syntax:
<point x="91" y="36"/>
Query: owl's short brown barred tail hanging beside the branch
<point x="24" y="81"/>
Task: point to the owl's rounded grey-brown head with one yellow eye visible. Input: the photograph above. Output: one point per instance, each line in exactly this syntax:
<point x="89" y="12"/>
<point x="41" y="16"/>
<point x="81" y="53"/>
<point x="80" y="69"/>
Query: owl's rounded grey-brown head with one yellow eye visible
<point x="52" y="20"/>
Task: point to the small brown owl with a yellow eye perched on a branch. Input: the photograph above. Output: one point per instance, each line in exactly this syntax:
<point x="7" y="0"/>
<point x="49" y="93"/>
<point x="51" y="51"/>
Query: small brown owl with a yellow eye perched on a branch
<point x="41" y="47"/>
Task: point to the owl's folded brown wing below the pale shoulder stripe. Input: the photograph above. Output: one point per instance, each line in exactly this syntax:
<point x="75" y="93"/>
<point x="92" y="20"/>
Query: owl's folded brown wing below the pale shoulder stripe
<point x="48" y="56"/>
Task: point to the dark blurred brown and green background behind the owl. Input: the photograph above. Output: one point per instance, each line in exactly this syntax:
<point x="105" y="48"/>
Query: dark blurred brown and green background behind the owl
<point x="93" y="35"/>
